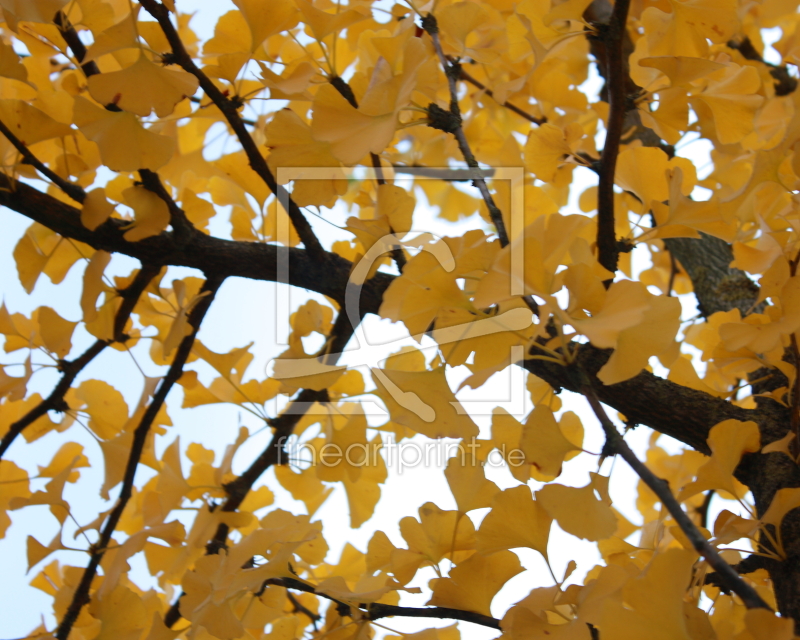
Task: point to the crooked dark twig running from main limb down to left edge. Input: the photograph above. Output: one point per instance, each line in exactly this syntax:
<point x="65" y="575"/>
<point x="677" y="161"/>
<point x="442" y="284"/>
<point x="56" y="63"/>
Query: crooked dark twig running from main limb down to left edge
<point x="70" y="369"/>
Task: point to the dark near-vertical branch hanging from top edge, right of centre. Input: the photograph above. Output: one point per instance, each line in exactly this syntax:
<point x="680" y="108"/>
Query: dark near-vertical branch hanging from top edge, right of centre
<point x="616" y="73"/>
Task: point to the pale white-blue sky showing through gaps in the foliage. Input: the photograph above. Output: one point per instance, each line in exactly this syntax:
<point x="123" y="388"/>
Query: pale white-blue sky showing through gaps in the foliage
<point x="243" y="312"/>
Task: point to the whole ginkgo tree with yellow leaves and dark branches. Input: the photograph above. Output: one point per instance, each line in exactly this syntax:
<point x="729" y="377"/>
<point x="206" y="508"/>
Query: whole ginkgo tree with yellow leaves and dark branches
<point x="107" y="114"/>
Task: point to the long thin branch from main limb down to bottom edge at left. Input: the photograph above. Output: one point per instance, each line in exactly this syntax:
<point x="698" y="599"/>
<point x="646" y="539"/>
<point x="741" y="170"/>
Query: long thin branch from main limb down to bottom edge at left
<point x="81" y="595"/>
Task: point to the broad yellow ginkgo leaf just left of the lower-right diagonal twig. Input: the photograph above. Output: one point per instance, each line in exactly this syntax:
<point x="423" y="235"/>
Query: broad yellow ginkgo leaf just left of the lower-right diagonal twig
<point x="578" y="511"/>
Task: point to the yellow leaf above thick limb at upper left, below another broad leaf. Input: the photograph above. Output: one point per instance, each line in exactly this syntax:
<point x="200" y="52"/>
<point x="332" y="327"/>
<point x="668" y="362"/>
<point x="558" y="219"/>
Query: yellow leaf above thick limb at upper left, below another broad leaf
<point x="125" y="145"/>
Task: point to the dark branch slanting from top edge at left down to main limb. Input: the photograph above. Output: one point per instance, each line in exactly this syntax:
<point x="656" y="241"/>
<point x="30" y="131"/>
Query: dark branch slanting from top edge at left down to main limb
<point x="230" y="109"/>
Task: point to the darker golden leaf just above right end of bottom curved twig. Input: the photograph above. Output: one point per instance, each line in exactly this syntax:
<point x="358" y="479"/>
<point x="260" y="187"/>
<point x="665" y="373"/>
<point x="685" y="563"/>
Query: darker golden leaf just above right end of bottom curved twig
<point x="472" y="584"/>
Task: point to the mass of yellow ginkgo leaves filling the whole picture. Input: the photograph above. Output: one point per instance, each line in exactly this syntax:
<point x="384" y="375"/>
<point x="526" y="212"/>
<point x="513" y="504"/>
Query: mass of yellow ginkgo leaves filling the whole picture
<point x="466" y="293"/>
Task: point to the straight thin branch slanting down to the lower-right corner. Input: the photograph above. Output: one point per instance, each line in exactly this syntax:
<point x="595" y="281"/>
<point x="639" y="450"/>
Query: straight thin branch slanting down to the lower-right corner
<point x="616" y="444"/>
